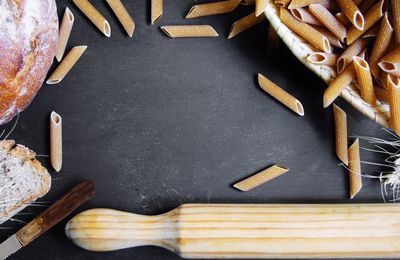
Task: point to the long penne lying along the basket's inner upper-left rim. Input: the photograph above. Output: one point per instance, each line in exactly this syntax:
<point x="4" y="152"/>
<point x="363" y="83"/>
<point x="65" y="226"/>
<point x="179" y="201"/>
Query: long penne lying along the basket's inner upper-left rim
<point x="306" y="31"/>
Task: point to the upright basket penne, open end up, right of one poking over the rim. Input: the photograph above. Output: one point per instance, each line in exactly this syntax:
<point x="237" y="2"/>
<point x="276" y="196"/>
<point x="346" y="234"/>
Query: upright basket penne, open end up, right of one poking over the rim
<point x="364" y="79"/>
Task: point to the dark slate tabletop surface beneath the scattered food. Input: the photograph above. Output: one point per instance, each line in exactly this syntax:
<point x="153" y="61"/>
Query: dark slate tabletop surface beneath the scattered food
<point x="156" y="122"/>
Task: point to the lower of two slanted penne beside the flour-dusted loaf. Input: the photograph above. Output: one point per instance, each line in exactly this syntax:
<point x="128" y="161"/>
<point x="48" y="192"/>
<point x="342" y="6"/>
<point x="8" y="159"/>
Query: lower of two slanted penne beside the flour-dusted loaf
<point x="66" y="65"/>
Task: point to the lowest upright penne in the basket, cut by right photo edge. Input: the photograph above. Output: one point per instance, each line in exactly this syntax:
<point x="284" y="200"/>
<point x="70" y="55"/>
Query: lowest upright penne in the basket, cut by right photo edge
<point x="393" y="85"/>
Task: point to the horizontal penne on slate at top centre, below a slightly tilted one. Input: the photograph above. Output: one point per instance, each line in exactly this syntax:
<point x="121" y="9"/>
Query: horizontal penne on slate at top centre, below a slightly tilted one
<point x="180" y="31"/>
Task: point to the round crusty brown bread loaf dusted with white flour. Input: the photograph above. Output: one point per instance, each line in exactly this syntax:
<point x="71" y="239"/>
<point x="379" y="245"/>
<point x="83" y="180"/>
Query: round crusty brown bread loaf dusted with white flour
<point x="28" y="39"/>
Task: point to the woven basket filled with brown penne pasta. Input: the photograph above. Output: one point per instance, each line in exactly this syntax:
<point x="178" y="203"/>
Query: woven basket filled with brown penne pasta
<point x="351" y="45"/>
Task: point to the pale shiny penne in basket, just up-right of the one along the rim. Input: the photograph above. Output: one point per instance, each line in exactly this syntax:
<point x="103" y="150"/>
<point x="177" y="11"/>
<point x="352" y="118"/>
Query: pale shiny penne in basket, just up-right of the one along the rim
<point x="328" y="20"/>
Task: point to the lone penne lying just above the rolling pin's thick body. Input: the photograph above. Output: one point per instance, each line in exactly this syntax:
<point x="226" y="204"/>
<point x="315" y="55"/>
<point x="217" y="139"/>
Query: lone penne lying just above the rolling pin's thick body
<point x="261" y="178"/>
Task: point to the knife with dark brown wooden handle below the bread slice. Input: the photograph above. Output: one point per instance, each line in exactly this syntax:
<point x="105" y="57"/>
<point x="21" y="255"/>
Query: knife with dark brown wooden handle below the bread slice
<point x="47" y="219"/>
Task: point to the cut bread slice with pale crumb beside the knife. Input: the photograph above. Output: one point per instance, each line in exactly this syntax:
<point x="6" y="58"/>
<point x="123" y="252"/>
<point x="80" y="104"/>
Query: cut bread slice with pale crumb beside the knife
<point x="22" y="179"/>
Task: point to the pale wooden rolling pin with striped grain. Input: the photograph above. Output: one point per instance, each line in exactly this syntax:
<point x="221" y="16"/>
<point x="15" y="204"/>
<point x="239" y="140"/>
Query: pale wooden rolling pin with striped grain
<point x="248" y="230"/>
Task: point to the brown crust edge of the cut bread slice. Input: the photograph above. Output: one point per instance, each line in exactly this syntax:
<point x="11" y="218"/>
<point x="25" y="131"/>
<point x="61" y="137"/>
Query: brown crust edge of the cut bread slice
<point x="20" y="151"/>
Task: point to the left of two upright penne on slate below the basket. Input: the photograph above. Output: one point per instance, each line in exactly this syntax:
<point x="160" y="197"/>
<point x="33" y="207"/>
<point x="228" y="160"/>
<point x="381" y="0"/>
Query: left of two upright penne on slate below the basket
<point x="340" y="134"/>
